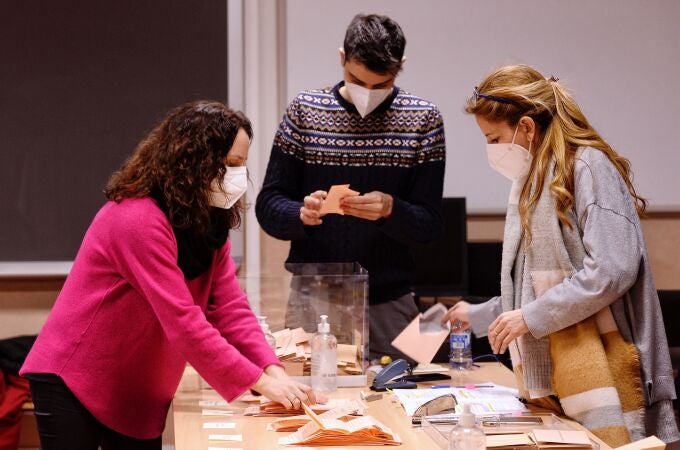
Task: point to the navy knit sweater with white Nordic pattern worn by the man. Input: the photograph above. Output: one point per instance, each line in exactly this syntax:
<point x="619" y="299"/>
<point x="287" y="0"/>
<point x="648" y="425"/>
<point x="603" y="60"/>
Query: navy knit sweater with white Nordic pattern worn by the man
<point x="397" y="149"/>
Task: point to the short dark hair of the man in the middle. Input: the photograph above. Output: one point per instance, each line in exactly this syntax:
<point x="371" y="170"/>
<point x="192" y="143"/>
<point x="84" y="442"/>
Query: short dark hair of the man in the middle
<point x="375" y="41"/>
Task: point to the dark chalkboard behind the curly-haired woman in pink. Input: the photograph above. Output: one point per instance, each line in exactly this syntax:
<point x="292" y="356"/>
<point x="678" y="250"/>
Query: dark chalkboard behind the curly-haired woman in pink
<point x="81" y="82"/>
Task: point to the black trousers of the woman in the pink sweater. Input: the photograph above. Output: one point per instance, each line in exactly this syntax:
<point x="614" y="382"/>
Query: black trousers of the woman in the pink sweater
<point x="65" y="424"/>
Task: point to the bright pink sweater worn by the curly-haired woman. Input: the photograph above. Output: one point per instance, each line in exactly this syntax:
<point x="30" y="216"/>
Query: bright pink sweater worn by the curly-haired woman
<point x="127" y="321"/>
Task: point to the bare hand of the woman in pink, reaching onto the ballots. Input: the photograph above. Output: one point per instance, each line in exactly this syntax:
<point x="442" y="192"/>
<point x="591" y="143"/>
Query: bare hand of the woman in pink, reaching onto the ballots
<point x="277" y="386"/>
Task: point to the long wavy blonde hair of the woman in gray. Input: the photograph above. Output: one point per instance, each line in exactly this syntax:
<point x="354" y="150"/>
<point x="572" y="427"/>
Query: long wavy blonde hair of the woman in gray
<point x="512" y="92"/>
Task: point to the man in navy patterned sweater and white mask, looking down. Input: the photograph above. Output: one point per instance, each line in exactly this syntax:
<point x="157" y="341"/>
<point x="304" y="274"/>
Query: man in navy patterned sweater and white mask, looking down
<point x="388" y="145"/>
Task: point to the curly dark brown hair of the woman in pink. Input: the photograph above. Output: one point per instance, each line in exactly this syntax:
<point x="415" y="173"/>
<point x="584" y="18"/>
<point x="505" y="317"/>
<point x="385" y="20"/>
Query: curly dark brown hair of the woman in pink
<point x="178" y="160"/>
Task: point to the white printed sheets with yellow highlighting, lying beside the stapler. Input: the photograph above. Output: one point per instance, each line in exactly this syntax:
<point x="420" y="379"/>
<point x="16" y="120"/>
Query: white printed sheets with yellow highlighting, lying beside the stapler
<point x="483" y="400"/>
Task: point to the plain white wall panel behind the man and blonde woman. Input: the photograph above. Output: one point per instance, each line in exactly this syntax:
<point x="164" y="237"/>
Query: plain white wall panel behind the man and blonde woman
<point x="620" y="58"/>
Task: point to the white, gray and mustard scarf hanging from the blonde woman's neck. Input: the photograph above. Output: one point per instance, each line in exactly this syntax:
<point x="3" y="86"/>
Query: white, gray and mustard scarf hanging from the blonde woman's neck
<point x="592" y="370"/>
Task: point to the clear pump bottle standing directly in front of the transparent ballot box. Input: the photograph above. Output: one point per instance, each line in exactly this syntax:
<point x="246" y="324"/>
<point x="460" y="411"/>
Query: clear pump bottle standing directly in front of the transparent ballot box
<point x="324" y="358"/>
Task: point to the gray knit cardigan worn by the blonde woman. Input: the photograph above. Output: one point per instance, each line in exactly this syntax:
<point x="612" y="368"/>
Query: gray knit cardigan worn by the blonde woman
<point x="616" y="272"/>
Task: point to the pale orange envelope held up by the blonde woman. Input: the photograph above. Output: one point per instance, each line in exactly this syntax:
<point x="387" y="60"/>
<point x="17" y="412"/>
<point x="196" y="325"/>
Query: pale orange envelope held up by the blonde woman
<point x="424" y="335"/>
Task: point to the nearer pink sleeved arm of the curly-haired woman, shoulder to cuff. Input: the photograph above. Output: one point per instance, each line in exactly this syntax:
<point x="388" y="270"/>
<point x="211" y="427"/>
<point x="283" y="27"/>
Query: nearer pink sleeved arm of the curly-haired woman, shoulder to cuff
<point x="142" y="248"/>
